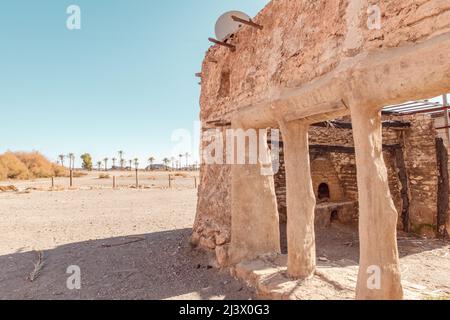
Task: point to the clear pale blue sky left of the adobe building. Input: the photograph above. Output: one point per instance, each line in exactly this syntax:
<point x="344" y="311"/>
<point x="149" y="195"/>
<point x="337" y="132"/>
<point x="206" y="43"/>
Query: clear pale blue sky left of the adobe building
<point x="124" y="81"/>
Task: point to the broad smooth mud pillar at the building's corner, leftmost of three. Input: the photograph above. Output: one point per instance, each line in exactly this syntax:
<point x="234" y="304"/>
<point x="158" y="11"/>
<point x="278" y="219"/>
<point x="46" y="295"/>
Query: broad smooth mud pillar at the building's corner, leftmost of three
<point x="254" y="213"/>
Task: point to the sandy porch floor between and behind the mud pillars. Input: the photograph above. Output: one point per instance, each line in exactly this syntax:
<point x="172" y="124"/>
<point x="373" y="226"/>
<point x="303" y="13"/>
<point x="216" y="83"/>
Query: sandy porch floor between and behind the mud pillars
<point x="424" y="265"/>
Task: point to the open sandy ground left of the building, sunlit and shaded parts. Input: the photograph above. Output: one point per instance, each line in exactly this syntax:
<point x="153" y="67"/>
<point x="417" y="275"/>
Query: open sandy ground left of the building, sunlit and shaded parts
<point x="90" y="229"/>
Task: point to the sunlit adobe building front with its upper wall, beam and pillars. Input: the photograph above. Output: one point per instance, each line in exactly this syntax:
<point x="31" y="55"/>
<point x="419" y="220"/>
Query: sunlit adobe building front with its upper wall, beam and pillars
<point x="315" y="61"/>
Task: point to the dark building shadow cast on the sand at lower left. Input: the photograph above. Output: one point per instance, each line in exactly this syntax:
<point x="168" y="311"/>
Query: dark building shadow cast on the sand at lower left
<point x="163" y="266"/>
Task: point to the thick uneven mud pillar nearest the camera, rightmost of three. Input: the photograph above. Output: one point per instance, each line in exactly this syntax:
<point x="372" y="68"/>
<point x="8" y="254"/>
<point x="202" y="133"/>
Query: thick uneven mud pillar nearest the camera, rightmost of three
<point x="379" y="275"/>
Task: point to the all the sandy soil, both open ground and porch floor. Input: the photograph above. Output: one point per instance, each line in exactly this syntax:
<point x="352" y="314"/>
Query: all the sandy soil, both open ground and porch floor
<point x="133" y="244"/>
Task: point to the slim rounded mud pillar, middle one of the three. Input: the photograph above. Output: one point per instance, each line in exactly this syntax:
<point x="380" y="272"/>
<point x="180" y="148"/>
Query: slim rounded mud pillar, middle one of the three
<point x="301" y="200"/>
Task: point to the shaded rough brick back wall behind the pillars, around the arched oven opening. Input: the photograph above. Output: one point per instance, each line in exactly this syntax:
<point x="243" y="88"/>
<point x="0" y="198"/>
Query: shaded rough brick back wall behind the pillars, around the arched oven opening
<point x="419" y="149"/>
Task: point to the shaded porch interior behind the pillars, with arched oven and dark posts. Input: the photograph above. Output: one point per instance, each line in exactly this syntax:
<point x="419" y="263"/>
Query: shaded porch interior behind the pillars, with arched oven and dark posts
<point x="410" y="151"/>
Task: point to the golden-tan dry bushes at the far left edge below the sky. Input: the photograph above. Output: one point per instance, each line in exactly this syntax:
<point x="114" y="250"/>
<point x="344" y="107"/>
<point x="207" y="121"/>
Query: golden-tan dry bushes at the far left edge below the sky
<point x="28" y="165"/>
